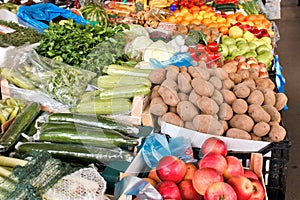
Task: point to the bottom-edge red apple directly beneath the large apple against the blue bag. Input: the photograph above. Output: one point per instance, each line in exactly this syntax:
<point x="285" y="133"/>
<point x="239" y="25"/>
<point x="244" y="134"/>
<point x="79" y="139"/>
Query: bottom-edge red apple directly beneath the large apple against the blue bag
<point x="168" y="190"/>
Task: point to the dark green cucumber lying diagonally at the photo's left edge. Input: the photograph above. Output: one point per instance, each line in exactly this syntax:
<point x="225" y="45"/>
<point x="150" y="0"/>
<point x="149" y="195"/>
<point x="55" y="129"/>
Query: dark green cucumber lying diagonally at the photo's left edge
<point x="20" y="124"/>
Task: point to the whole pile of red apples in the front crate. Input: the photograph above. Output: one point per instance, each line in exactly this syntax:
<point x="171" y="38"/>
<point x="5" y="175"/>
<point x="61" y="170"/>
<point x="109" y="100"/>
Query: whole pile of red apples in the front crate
<point x="216" y="176"/>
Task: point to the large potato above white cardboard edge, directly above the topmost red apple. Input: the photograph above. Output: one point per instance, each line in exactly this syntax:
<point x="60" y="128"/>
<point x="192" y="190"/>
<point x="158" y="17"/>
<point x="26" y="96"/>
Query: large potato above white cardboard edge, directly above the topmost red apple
<point x="208" y="124"/>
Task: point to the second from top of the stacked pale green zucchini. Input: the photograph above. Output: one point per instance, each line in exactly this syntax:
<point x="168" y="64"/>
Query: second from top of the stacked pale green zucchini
<point x="109" y="81"/>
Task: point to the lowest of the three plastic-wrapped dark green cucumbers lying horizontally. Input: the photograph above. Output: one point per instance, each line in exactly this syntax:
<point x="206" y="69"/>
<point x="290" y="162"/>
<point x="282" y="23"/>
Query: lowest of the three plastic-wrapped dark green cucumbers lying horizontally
<point x="77" y="153"/>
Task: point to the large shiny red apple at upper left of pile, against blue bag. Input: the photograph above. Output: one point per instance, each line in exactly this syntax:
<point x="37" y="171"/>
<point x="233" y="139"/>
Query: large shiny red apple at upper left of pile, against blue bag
<point x="171" y="168"/>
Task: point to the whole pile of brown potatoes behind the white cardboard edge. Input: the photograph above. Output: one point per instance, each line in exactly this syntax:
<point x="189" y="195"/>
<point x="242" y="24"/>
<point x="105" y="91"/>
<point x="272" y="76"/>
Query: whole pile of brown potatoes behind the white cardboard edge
<point x="221" y="101"/>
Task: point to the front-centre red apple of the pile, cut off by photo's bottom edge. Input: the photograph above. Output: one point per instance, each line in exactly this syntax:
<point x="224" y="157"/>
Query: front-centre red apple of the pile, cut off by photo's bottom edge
<point x="220" y="190"/>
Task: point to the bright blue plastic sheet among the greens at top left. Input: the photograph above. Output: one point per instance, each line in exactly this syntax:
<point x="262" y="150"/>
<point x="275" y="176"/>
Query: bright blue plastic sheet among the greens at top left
<point x="34" y="15"/>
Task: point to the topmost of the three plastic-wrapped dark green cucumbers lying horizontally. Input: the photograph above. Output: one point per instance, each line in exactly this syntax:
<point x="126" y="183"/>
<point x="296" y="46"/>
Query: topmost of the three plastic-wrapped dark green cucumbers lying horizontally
<point x="94" y="121"/>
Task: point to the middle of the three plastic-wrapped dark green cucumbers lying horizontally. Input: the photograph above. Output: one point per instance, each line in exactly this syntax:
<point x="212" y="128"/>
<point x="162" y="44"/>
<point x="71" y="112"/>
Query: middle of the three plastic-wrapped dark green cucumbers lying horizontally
<point x="91" y="137"/>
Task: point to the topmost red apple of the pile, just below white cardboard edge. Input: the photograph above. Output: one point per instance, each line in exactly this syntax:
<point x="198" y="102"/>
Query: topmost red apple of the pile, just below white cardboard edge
<point x="214" y="145"/>
